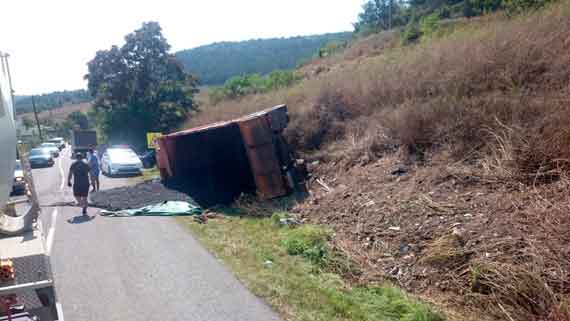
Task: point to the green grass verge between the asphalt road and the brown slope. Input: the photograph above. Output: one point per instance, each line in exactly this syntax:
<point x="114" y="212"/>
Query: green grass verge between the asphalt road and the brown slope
<point x="299" y="282"/>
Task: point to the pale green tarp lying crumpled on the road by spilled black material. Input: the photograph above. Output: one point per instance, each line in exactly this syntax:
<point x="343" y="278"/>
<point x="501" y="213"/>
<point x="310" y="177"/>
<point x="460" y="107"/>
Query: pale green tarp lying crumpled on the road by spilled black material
<point x="166" y="208"/>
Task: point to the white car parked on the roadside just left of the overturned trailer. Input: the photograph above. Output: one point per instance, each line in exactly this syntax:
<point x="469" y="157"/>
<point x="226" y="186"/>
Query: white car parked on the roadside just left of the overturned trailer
<point x="117" y="161"/>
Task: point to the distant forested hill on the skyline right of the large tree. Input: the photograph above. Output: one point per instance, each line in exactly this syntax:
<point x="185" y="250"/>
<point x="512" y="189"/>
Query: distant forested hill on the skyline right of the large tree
<point x="217" y="62"/>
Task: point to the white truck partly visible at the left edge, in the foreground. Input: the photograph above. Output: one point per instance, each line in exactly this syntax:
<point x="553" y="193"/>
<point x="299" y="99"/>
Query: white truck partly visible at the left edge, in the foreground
<point x="27" y="290"/>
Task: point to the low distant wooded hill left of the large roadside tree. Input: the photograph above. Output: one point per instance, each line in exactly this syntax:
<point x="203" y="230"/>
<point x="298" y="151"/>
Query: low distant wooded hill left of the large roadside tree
<point x="23" y="104"/>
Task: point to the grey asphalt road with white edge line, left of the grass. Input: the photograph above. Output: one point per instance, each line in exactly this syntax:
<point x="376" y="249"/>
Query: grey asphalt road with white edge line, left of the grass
<point x="140" y="268"/>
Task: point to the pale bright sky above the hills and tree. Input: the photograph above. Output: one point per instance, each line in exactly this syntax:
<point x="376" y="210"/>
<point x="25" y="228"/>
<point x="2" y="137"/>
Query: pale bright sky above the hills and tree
<point x="51" y="41"/>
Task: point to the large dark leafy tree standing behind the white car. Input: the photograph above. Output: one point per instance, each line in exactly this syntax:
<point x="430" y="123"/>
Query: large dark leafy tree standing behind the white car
<point x="139" y="87"/>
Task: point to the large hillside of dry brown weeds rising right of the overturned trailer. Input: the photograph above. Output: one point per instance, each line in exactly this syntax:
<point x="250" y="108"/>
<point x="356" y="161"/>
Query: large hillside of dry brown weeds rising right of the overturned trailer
<point x="447" y="160"/>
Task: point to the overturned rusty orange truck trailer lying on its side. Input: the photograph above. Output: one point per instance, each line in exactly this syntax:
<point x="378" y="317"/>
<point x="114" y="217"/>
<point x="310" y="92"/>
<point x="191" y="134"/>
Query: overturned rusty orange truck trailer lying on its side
<point x="217" y="162"/>
